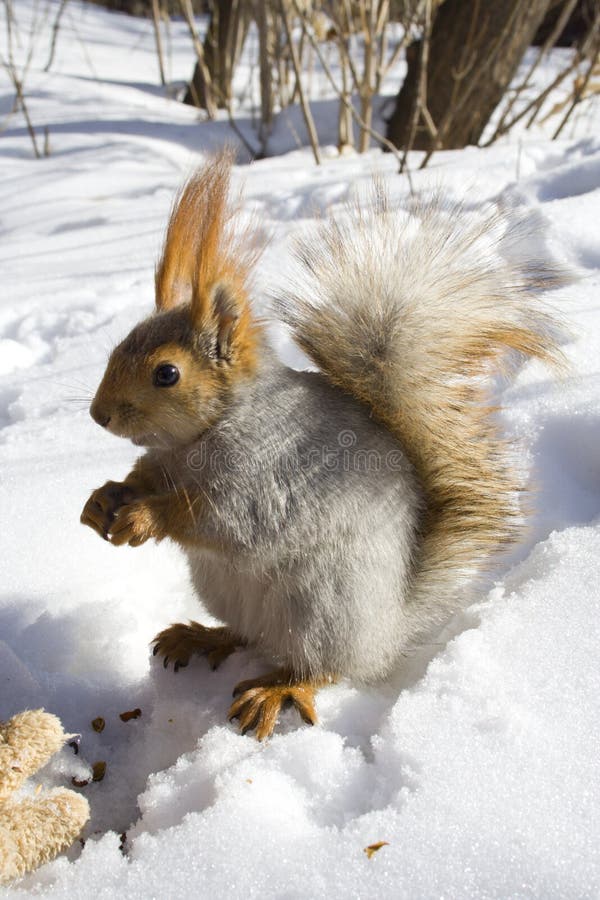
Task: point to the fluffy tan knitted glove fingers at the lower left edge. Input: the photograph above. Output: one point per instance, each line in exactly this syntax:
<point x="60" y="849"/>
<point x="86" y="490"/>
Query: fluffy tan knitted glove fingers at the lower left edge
<point x="33" y="831"/>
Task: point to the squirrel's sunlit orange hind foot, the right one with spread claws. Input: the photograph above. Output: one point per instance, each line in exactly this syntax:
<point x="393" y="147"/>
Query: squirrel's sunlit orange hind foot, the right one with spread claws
<point x="260" y="700"/>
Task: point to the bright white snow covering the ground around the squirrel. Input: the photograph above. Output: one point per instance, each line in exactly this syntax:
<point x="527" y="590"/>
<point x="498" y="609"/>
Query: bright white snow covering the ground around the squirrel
<point x="478" y="763"/>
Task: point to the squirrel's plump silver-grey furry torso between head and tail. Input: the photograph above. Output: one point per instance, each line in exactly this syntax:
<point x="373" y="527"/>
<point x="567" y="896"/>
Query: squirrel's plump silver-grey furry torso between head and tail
<point x="317" y="537"/>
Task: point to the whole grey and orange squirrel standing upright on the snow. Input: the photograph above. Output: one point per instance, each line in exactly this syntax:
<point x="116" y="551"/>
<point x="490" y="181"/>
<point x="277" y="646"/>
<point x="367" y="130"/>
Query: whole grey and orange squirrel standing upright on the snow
<point x="330" y="519"/>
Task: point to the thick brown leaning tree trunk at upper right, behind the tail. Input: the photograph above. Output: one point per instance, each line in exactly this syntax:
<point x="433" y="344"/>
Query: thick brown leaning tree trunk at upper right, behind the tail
<point x="475" y="48"/>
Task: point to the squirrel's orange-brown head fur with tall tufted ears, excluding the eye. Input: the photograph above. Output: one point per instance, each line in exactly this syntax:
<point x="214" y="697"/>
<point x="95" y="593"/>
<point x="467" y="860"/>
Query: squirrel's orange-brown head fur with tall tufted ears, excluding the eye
<point x="203" y="327"/>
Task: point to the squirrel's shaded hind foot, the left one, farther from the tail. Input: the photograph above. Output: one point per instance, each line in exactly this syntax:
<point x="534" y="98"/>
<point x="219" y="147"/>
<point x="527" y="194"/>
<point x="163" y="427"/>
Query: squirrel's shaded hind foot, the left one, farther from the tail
<point x="179" y="642"/>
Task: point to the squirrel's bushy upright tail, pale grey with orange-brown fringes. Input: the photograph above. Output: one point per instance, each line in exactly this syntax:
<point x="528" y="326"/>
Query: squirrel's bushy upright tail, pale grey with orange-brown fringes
<point x="409" y="316"/>
